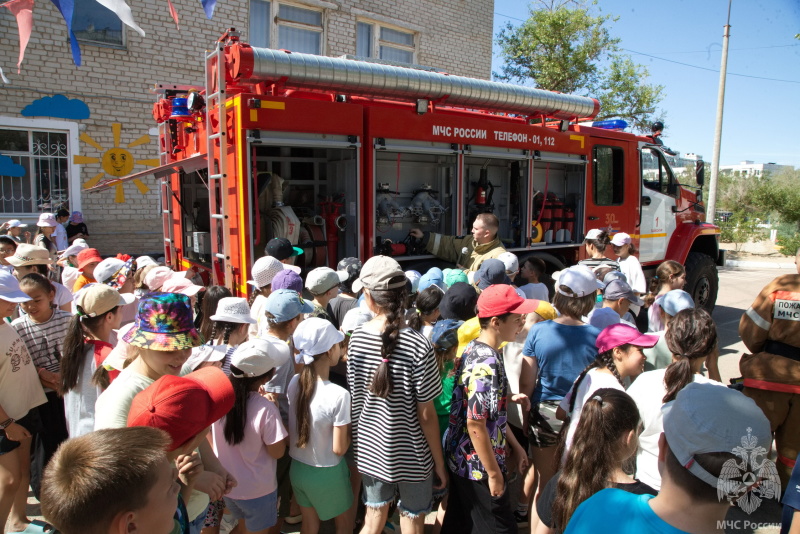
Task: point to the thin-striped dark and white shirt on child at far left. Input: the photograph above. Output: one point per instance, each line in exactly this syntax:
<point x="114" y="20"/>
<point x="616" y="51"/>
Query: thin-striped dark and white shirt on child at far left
<point x="44" y="340"/>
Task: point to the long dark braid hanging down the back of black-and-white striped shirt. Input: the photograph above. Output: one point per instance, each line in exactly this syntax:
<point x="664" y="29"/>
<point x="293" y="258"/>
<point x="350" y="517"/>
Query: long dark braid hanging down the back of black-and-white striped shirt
<point x="390" y="303"/>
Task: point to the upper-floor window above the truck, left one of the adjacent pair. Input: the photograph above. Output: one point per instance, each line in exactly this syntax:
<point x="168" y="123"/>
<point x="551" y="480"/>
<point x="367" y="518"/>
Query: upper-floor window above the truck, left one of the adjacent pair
<point x="289" y="26"/>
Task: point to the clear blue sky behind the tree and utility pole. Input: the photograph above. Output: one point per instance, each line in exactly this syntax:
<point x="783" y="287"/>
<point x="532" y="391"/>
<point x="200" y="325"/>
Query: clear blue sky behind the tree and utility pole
<point x="671" y="38"/>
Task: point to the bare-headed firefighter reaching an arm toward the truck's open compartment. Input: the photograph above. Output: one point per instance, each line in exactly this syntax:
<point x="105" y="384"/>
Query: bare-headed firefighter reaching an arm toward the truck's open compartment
<point x="467" y="252"/>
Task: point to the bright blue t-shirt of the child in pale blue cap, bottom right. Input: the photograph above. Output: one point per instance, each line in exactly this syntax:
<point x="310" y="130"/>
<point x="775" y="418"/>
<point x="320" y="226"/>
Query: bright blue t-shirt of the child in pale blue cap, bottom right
<point x="616" y="511"/>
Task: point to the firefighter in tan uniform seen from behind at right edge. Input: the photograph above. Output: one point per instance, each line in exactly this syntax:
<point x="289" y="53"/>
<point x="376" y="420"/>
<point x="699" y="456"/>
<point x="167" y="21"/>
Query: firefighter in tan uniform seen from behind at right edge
<point x="770" y="329"/>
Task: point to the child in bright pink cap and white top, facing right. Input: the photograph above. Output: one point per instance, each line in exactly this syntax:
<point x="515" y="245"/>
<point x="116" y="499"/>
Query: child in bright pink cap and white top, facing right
<point x="619" y="357"/>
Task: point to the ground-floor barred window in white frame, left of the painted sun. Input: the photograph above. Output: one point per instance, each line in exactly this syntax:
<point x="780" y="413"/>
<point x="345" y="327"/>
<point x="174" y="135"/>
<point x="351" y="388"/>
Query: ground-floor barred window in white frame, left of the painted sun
<point x="39" y="181"/>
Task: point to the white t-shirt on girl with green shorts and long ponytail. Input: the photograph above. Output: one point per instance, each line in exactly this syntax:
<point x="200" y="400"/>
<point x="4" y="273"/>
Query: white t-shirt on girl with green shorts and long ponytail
<point x="329" y="407"/>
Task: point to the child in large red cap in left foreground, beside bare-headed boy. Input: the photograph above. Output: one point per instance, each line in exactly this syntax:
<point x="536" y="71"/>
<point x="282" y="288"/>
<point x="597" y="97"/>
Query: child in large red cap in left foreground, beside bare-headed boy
<point x="185" y="407"/>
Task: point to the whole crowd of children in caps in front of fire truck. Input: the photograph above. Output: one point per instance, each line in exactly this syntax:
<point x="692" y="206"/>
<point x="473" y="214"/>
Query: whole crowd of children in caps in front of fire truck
<point x="135" y="399"/>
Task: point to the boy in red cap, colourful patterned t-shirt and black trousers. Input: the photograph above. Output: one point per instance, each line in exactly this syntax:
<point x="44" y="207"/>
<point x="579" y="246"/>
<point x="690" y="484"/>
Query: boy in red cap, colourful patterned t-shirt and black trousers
<point x="476" y="439"/>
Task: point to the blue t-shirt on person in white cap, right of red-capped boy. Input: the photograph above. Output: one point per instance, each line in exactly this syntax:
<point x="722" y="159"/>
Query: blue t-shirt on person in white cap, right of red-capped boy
<point x="561" y="352"/>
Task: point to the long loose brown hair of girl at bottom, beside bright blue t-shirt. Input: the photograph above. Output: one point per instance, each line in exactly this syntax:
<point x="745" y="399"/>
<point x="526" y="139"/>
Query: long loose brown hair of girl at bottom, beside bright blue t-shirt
<point x="606" y="417"/>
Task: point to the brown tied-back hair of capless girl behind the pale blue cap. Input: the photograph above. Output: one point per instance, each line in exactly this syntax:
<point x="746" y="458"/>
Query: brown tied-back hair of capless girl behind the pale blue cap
<point x="691" y="335"/>
